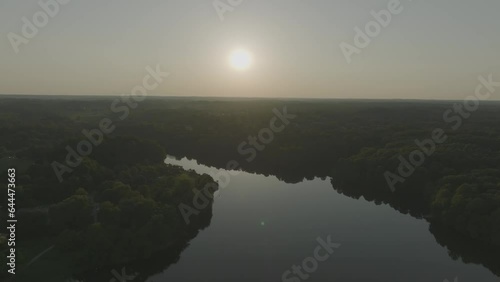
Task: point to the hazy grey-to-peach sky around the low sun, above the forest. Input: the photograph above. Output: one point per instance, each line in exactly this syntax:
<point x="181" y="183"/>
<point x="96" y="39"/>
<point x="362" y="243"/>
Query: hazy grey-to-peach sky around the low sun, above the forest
<point x="428" y="49"/>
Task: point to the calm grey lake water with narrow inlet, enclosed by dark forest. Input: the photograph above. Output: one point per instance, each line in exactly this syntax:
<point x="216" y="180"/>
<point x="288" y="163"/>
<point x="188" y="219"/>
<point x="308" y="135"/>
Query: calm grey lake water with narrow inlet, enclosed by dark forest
<point x="262" y="226"/>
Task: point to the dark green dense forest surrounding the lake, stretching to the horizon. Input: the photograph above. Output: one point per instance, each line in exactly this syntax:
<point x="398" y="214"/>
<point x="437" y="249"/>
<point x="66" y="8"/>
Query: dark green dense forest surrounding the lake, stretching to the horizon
<point x="123" y="193"/>
